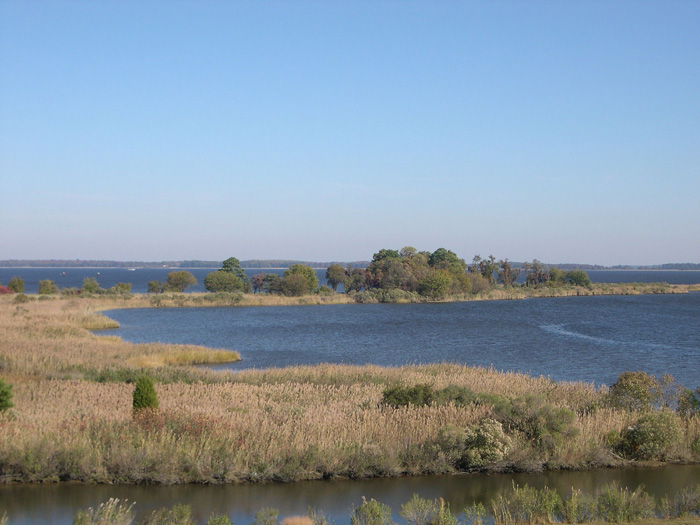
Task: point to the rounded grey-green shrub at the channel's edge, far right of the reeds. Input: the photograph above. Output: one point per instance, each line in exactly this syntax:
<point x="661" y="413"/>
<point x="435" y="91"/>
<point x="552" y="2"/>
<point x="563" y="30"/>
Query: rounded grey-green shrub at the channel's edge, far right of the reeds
<point x="652" y="436"/>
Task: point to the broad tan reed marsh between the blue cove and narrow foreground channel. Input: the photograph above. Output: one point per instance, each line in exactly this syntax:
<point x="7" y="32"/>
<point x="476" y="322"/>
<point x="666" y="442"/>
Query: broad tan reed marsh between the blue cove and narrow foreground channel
<point x="72" y="417"/>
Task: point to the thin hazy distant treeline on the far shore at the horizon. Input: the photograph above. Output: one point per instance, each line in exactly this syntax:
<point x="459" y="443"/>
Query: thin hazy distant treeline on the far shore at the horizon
<point x="286" y="263"/>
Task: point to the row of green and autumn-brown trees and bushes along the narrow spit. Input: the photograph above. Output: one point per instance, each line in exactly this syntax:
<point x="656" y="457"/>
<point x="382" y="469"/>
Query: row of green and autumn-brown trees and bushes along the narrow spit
<point x="391" y="275"/>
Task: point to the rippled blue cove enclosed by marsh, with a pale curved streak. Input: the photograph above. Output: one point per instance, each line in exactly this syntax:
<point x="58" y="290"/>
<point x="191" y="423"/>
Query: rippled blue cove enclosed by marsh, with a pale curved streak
<point x="591" y="339"/>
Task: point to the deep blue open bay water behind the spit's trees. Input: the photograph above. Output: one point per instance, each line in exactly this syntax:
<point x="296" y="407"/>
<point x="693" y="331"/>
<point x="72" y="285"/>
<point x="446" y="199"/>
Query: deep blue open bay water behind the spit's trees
<point x="139" y="277"/>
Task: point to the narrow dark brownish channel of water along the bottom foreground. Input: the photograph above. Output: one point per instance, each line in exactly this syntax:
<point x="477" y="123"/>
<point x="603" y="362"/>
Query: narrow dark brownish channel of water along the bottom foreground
<point x="58" y="504"/>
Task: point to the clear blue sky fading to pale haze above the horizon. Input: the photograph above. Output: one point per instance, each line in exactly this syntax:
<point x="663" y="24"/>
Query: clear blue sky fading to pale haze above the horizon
<point x="566" y="131"/>
